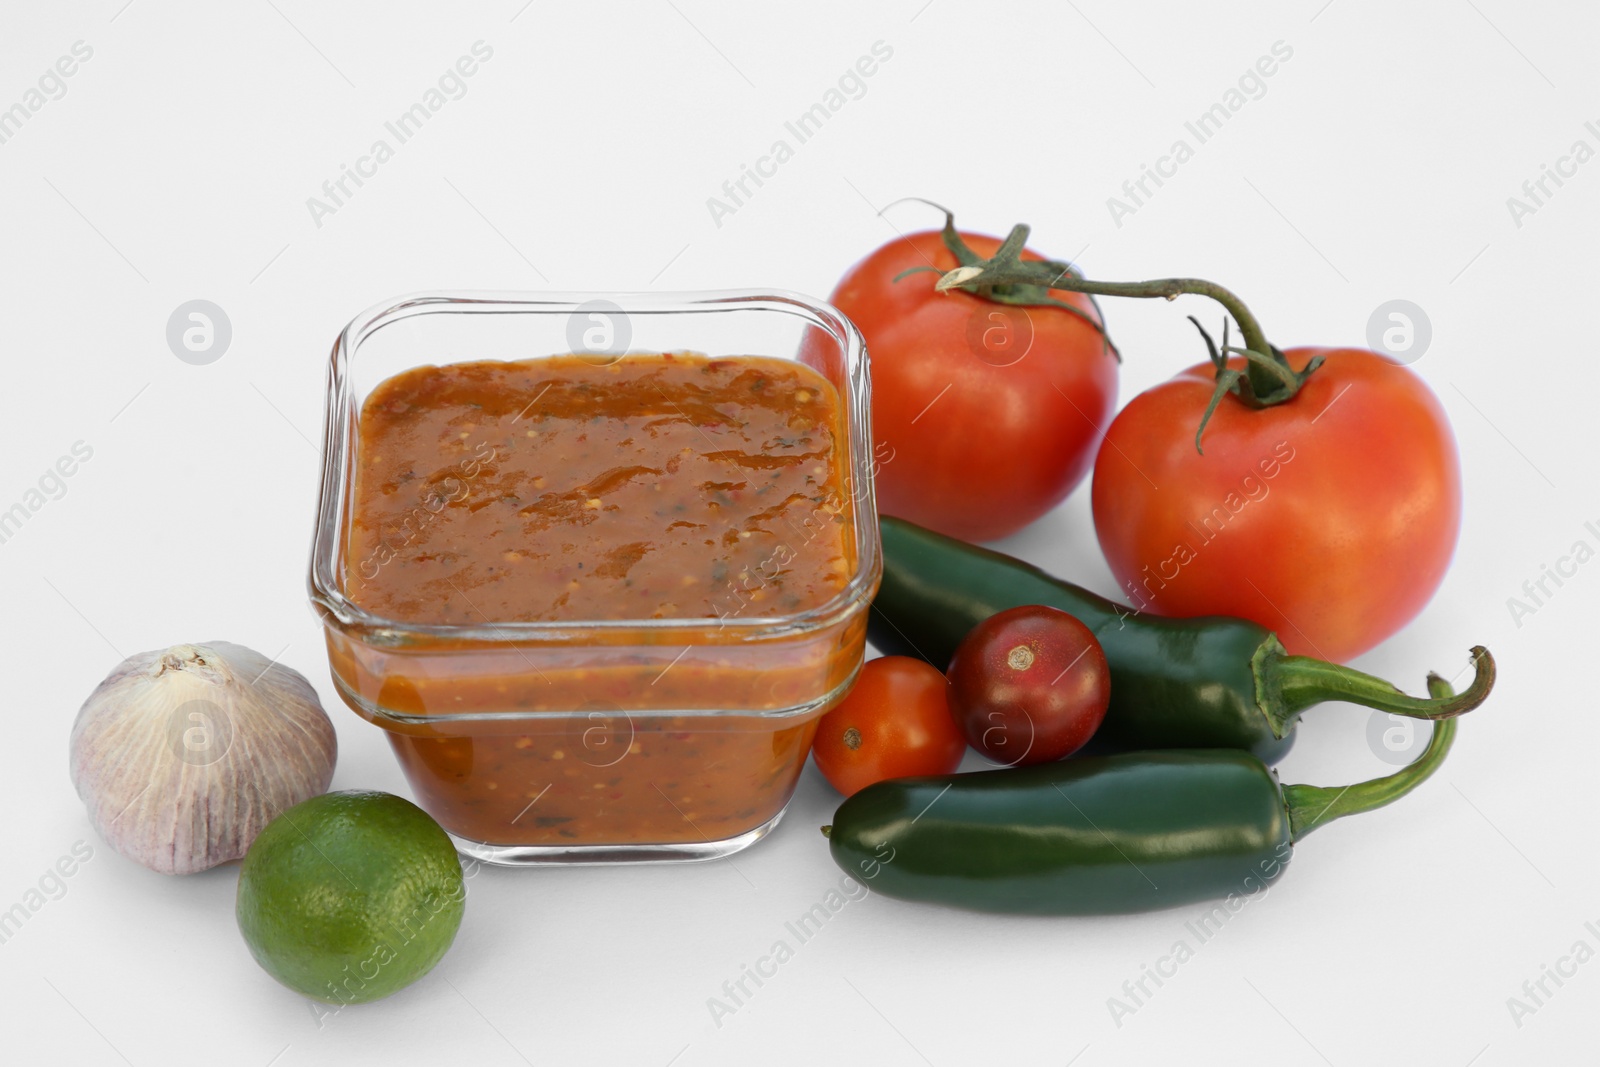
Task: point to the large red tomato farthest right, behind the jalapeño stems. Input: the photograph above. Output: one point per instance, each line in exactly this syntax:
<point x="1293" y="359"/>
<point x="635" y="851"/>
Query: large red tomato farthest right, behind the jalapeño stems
<point x="1329" y="519"/>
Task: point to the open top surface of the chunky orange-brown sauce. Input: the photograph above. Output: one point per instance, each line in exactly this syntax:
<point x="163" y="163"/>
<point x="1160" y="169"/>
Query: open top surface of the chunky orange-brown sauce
<point x="567" y="490"/>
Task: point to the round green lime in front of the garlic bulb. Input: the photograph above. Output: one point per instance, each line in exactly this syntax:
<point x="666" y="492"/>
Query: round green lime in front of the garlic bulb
<point x="351" y="897"/>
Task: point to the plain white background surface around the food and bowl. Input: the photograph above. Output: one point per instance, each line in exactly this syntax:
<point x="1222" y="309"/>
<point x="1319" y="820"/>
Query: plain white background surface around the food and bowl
<point x="1375" y="167"/>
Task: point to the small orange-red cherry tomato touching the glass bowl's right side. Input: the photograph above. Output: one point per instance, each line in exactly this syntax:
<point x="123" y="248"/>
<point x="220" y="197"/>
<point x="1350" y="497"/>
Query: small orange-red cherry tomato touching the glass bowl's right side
<point x="894" y="724"/>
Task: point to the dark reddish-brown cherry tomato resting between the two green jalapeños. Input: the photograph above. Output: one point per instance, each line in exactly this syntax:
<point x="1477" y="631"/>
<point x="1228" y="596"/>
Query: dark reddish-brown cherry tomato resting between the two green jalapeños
<point x="1030" y="685"/>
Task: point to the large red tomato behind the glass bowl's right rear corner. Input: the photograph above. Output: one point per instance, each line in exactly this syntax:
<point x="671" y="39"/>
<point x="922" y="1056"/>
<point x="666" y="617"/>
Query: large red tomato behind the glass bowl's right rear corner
<point x="985" y="415"/>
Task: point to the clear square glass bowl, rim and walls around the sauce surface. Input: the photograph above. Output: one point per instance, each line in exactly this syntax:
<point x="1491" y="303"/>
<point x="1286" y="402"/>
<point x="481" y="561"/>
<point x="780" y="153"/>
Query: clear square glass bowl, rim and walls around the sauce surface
<point x="698" y="745"/>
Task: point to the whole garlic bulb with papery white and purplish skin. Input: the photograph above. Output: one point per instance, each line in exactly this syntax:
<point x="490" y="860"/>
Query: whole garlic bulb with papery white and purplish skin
<point x="185" y="756"/>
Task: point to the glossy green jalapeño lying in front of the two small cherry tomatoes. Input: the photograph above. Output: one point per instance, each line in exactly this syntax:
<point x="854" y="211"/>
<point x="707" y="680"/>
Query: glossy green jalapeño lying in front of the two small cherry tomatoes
<point x="1098" y="836"/>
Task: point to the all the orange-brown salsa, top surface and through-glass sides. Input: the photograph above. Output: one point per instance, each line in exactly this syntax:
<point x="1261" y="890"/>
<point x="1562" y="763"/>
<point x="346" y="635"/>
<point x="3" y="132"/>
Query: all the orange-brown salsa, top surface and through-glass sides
<point x="655" y="487"/>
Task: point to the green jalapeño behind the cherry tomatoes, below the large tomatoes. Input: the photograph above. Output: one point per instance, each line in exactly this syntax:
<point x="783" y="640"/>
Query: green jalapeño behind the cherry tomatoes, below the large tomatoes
<point x="1175" y="684"/>
